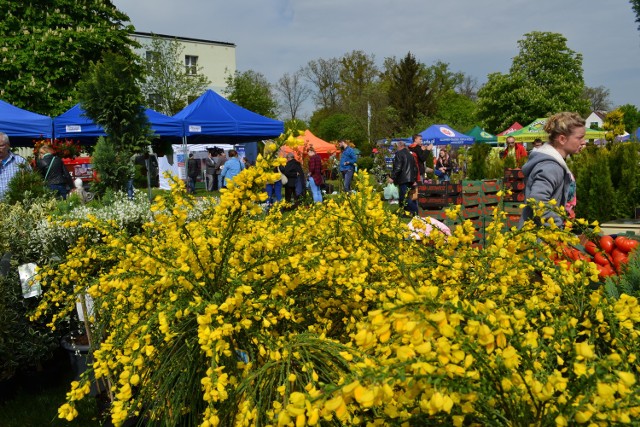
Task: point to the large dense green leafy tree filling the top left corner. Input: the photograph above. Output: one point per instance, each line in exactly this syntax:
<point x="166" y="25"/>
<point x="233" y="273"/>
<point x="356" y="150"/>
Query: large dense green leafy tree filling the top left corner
<point x="46" y="49"/>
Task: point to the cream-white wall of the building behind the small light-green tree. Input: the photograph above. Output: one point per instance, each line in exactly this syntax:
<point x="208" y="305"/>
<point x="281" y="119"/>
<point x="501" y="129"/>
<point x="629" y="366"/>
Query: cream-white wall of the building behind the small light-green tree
<point x="217" y="59"/>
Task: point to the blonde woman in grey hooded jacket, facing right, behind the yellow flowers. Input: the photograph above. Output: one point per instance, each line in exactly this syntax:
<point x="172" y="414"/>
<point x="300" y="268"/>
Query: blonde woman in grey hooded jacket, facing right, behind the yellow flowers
<point x="547" y="175"/>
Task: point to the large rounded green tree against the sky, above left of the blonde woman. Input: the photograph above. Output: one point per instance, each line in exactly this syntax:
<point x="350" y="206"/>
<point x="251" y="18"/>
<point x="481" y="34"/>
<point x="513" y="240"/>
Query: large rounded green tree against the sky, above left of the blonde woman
<point x="545" y="77"/>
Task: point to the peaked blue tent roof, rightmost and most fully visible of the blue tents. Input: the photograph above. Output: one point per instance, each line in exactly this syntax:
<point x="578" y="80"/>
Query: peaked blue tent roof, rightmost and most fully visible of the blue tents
<point x="214" y="116"/>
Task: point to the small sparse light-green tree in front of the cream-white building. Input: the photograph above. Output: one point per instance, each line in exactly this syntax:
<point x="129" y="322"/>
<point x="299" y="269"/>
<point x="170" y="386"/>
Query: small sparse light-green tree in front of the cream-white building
<point x="167" y="87"/>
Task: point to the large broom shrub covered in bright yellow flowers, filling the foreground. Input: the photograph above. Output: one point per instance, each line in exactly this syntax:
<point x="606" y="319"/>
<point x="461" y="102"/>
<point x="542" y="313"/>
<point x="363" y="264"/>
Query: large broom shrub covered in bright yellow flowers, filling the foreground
<point x="333" y="315"/>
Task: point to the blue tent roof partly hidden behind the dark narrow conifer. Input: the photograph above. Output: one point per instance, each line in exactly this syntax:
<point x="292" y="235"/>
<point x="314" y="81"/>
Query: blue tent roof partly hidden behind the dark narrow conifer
<point x="74" y="124"/>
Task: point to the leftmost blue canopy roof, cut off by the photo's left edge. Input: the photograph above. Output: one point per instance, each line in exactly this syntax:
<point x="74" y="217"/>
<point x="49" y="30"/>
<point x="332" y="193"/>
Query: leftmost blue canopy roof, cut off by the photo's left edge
<point x="23" y="126"/>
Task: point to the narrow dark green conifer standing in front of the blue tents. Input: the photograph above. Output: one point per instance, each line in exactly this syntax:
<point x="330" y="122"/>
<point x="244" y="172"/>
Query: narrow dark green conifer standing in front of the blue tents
<point x="110" y="94"/>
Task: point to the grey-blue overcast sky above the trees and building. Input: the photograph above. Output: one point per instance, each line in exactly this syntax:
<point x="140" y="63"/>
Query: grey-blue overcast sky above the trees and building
<point x="475" y="37"/>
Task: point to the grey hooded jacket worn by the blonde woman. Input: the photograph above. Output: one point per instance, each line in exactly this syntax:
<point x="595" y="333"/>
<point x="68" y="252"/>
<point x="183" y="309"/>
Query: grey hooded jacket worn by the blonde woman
<point x="547" y="177"/>
